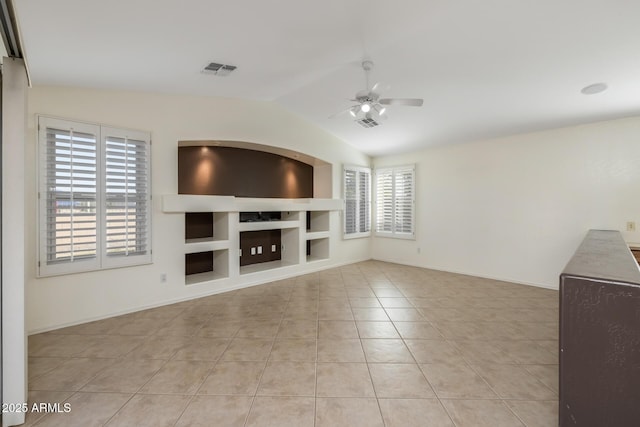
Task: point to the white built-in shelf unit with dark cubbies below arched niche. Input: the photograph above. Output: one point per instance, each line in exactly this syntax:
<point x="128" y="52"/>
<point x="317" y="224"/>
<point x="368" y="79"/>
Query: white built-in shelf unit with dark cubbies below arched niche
<point x="301" y="236"/>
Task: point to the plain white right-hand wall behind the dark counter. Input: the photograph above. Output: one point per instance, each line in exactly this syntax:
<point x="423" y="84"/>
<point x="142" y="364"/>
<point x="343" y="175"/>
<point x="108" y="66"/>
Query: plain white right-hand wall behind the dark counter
<point x="516" y="208"/>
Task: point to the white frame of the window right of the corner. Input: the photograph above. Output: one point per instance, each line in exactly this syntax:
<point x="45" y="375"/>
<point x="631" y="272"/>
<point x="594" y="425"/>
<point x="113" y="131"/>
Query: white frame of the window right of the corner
<point x="393" y="233"/>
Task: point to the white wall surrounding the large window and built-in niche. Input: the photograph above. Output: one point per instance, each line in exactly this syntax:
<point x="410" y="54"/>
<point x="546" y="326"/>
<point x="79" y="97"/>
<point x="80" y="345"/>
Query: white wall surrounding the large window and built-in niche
<point x="58" y="301"/>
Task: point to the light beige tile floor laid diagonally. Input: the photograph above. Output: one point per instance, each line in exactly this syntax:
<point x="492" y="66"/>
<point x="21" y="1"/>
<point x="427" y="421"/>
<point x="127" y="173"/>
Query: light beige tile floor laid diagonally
<point x="369" y="344"/>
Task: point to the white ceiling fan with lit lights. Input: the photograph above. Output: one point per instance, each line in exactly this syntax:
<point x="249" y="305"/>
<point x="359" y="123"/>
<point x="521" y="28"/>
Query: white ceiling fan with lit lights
<point x="369" y="106"/>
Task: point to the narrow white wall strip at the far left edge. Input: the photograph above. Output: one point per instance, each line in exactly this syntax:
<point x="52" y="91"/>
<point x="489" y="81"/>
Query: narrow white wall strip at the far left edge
<point x="14" y="343"/>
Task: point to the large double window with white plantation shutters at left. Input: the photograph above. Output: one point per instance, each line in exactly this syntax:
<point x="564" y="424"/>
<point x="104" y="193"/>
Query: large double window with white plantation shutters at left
<point x="94" y="197"/>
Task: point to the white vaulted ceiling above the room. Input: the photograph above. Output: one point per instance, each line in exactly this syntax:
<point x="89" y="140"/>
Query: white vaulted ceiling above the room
<point x="484" y="68"/>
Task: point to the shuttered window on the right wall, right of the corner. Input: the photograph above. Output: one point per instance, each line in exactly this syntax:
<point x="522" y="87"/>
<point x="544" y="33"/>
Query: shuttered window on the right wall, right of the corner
<point x="395" y="202"/>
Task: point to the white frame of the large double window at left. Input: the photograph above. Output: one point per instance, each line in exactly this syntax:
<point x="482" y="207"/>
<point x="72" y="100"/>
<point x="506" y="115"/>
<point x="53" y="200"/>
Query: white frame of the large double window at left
<point x="101" y="260"/>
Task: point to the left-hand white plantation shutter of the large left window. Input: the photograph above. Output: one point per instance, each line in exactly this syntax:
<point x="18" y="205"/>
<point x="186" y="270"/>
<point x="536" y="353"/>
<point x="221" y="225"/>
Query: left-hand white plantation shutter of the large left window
<point x="68" y="196"/>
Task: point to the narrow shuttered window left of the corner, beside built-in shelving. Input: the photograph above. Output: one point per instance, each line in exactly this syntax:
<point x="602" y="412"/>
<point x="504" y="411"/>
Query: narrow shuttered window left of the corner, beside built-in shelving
<point x="357" y="199"/>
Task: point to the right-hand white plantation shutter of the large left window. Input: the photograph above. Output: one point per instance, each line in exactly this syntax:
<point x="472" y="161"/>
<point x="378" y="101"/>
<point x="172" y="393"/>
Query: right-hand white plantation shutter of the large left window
<point x="126" y="195"/>
